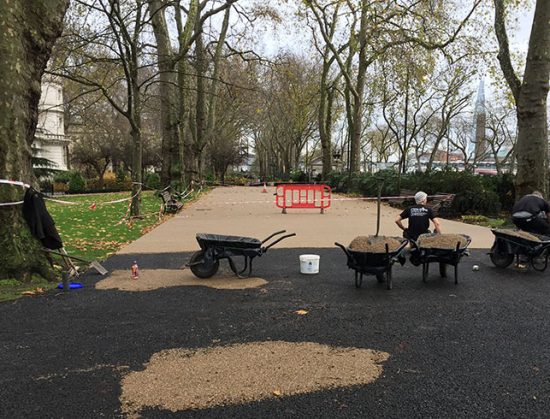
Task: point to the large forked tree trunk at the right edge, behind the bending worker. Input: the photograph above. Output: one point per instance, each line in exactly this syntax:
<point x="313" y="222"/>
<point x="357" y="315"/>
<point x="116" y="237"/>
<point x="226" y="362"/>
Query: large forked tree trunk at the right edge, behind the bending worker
<point x="531" y="98"/>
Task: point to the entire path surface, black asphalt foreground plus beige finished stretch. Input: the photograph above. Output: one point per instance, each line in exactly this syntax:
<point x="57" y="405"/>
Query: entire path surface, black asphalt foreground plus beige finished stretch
<point x="281" y="344"/>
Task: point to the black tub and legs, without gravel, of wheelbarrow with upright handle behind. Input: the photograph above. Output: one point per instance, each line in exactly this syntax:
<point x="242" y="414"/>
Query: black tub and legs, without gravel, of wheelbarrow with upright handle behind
<point x="378" y="264"/>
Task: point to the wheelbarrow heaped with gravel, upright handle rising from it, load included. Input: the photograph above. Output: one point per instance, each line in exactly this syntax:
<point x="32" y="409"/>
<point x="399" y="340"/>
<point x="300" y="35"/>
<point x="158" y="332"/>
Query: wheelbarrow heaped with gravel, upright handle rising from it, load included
<point x="374" y="255"/>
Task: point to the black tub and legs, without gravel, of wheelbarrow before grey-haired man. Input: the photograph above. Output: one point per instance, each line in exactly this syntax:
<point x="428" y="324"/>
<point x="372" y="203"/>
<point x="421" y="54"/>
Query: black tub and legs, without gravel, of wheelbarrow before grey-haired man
<point x="444" y="256"/>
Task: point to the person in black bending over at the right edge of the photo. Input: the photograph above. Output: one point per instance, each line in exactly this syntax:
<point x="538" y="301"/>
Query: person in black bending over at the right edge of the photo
<point x="531" y="214"/>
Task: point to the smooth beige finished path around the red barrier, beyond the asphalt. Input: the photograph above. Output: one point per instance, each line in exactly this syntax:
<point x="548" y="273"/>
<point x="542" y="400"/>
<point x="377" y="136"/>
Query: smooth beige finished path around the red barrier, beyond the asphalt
<point x="246" y="211"/>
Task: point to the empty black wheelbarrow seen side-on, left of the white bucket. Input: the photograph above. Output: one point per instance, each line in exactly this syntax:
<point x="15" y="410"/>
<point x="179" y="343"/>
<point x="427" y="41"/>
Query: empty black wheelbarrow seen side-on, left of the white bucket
<point x="205" y="262"/>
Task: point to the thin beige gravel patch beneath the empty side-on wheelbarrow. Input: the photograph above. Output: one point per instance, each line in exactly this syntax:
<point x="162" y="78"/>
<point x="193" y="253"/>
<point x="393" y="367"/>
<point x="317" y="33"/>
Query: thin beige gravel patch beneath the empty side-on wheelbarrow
<point x="152" y="279"/>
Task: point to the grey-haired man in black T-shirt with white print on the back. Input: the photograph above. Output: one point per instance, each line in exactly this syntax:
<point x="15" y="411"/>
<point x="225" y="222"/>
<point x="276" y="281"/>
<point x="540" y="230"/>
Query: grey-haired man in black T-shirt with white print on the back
<point x="419" y="217"/>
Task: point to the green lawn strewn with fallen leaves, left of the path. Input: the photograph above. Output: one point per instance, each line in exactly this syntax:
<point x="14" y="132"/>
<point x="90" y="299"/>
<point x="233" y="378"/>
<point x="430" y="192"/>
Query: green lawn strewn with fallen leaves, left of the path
<point x="93" y="228"/>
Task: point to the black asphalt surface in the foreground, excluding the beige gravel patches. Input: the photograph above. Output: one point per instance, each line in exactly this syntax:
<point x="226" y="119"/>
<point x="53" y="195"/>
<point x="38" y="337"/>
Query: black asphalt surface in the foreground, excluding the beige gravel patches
<point x="476" y="349"/>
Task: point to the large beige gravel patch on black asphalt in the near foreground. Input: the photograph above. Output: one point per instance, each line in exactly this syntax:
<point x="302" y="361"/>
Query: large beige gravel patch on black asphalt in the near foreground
<point x="180" y="379"/>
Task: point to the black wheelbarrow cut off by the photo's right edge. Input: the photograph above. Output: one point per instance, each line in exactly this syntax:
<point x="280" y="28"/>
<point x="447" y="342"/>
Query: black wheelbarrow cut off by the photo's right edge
<point x="510" y="245"/>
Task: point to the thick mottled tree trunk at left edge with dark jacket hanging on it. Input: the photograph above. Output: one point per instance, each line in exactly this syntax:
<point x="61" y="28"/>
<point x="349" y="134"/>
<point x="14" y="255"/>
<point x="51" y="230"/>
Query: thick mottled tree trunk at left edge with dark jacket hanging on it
<point x="29" y="29"/>
